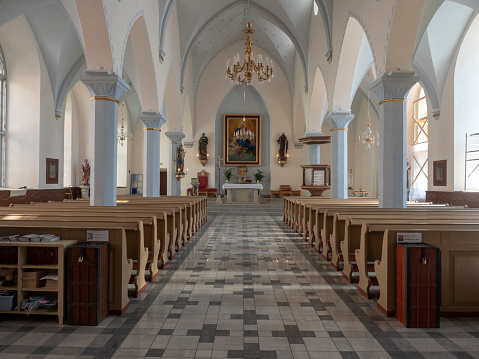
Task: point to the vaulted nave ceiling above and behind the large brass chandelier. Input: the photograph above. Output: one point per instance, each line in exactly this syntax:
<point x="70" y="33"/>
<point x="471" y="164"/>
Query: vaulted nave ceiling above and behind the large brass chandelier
<point x="207" y="27"/>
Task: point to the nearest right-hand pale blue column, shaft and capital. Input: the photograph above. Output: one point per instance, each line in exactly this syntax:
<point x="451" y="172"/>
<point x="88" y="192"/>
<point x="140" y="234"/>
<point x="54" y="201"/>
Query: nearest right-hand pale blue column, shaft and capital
<point x="392" y="91"/>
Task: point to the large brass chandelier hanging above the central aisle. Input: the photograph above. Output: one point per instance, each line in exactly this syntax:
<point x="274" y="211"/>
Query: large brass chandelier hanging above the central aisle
<point x="244" y="72"/>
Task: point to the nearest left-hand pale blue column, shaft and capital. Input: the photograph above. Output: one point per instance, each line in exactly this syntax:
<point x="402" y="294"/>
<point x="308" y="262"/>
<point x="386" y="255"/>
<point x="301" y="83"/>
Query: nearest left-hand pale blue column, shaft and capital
<point x="105" y="88"/>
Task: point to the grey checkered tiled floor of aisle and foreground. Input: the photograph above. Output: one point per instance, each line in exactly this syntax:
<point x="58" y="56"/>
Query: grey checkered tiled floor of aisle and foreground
<point x="244" y="287"/>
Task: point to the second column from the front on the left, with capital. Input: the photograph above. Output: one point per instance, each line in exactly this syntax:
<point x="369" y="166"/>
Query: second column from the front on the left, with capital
<point x="152" y="122"/>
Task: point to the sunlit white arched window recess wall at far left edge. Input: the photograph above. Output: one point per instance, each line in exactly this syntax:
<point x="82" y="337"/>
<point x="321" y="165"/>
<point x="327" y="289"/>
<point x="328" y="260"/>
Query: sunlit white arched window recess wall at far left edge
<point x="23" y="114"/>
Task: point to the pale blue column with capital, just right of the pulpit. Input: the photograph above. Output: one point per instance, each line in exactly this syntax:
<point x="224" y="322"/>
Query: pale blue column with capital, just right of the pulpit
<point x="339" y="122"/>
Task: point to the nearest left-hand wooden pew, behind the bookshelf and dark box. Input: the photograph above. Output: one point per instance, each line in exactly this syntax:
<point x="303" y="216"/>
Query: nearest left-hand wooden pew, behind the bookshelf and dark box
<point x="120" y="266"/>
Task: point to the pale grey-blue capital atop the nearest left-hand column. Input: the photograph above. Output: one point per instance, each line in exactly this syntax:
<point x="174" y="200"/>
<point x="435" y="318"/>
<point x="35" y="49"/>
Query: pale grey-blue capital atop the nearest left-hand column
<point x="104" y="85"/>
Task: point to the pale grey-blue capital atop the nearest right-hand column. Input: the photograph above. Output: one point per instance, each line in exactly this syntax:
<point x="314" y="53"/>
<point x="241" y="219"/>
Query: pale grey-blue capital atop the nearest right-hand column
<point x="394" y="86"/>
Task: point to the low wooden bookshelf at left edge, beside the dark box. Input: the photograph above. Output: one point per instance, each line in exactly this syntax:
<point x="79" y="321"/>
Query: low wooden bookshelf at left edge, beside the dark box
<point x="32" y="256"/>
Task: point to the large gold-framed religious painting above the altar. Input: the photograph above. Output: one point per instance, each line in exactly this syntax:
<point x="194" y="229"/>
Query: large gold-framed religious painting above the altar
<point x="242" y="140"/>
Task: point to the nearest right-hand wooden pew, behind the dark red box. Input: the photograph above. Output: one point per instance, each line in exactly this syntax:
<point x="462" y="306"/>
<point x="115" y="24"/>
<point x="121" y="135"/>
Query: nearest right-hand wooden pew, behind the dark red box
<point x="459" y="246"/>
